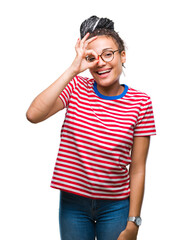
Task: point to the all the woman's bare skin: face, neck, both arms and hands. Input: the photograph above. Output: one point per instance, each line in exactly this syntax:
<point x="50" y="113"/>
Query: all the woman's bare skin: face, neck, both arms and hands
<point x="48" y="103"/>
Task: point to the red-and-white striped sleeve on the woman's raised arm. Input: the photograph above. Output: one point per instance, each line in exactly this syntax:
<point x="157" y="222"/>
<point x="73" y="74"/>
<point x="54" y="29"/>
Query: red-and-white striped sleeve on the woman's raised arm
<point x="67" y="91"/>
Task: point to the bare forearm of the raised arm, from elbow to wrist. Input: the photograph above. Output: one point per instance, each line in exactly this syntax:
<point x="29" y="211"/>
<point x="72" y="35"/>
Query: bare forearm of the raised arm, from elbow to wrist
<point x="42" y="104"/>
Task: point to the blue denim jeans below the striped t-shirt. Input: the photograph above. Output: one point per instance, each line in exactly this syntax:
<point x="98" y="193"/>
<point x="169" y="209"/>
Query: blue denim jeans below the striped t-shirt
<point x="83" y="218"/>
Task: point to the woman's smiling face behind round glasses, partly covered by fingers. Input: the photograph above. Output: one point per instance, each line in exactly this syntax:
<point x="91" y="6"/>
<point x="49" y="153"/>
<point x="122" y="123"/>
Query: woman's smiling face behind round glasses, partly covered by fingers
<point x="106" y="73"/>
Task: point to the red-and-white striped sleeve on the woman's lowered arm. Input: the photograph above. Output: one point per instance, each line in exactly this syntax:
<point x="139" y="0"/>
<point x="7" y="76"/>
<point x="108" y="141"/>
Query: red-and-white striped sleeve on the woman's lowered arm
<point x="145" y="124"/>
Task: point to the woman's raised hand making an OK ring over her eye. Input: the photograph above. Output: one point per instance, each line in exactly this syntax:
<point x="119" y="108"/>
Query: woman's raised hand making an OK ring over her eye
<point x="80" y="63"/>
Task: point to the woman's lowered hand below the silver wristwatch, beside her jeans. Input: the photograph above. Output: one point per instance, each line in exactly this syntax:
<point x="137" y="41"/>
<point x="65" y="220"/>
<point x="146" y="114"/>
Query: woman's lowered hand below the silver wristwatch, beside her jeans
<point x="130" y="233"/>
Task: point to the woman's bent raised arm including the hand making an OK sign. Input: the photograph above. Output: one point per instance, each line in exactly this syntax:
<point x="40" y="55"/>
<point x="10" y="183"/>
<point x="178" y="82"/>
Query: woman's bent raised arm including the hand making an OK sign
<point x="48" y="102"/>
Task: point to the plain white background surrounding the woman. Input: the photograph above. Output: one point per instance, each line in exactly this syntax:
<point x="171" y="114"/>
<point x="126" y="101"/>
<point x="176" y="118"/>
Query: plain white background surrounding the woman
<point x="36" y="46"/>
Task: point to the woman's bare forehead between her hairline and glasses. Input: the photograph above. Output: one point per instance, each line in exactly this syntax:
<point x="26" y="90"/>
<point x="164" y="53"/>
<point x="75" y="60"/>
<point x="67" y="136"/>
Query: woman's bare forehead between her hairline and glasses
<point x="101" y="43"/>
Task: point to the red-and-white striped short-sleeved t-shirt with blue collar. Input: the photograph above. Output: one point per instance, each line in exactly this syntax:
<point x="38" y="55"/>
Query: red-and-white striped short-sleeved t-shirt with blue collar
<point x="97" y="137"/>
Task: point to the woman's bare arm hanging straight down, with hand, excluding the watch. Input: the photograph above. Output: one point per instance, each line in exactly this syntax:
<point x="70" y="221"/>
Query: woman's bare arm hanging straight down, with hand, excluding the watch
<point x="137" y="182"/>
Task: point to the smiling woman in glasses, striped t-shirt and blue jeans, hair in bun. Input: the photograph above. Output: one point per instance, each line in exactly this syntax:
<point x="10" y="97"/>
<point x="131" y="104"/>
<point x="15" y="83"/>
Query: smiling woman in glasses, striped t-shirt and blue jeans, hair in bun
<point x="107" y="127"/>
